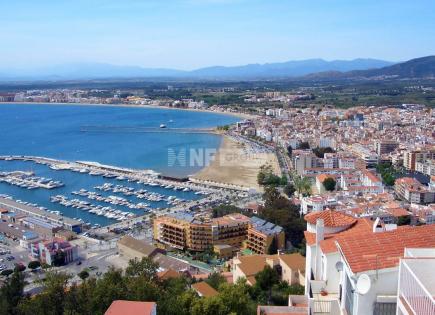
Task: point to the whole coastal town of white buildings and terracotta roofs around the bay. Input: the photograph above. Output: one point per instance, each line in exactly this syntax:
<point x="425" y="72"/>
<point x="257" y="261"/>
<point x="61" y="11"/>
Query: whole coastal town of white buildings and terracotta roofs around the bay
<point x="343" y="222"/>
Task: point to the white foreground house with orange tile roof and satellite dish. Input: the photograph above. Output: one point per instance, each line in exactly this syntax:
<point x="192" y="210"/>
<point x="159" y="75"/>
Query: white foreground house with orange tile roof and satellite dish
<point x="369" y="268"/>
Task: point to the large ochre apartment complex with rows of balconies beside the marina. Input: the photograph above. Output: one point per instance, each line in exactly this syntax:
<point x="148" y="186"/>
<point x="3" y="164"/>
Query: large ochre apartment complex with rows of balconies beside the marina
<point x="183" y="231"/>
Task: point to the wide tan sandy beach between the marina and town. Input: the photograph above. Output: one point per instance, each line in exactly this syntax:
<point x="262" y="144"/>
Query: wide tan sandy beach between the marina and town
<point x="237" y="164"/>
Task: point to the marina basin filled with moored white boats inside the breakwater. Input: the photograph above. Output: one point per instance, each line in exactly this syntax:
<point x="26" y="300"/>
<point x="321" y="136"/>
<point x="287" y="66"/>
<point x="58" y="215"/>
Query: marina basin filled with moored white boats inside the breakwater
<point x="103" y="195"/>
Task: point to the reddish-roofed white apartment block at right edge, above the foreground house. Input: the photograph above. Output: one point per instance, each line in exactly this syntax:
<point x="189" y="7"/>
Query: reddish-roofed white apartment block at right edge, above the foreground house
<point x="413" y="191"/>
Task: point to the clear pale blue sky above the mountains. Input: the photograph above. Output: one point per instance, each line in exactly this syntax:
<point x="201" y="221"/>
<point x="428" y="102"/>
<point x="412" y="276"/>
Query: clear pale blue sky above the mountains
<point x="187" y="34"/>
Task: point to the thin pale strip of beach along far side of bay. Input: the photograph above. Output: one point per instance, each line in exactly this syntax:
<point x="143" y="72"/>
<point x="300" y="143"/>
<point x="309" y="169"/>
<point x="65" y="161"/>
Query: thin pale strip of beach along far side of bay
<point x="239" y="115"/>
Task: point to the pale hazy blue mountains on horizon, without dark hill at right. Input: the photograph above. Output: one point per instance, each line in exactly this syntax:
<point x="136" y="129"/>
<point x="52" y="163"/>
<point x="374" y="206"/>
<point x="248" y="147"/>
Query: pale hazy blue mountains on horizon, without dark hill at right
<point x="299" y="68"/>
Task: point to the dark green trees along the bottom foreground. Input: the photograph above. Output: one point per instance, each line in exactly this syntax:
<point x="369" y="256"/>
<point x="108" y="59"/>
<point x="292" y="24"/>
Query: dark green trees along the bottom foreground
<point x="139" y="282"/>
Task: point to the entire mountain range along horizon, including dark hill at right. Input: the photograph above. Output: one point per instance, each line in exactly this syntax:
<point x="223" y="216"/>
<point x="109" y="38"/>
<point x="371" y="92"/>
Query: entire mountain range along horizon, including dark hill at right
<point x="305" y="69"/>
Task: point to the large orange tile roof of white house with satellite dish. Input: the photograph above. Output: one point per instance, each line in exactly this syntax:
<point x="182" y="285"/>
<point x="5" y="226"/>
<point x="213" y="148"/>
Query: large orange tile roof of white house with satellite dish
<point x="382" y="250"/>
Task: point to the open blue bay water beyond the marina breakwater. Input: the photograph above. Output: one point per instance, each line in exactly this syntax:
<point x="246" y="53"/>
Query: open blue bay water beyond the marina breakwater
<point x="56" y="132"/>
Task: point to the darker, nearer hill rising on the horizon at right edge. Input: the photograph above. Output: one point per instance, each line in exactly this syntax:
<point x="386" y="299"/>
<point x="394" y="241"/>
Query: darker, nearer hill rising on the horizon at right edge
<point x="423" y="67"/>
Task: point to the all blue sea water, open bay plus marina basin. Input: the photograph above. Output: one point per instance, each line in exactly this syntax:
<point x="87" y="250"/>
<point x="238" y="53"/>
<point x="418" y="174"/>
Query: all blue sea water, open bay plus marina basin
<point x="121" y="136"/>
